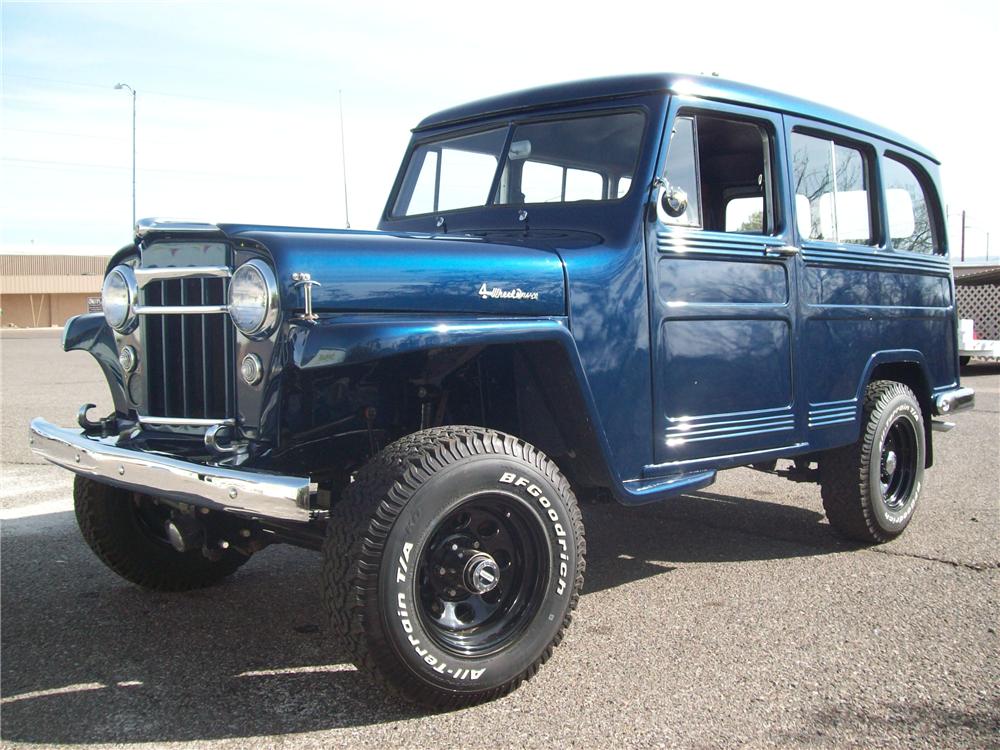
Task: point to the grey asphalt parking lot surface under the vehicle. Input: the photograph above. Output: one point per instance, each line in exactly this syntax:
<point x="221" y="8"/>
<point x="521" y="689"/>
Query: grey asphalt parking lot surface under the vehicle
<point x="727" y="617"/>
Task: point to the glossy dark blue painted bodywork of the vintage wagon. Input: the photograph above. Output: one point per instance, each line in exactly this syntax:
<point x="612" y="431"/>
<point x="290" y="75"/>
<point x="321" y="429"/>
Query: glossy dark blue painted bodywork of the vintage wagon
<point x="692" y="350"/>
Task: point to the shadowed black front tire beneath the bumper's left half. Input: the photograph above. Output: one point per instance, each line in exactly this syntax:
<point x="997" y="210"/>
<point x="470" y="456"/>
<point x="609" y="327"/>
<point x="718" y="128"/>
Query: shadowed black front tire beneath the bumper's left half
<point x="128" y="533"/>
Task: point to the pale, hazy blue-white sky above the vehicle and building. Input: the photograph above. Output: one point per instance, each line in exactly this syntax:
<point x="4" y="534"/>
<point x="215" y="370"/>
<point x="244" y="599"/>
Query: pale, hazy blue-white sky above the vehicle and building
<point x="238" y="116"/>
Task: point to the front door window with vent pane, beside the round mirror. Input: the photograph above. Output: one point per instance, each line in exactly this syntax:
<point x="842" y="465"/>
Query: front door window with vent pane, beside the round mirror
<point x="723" y="166"/>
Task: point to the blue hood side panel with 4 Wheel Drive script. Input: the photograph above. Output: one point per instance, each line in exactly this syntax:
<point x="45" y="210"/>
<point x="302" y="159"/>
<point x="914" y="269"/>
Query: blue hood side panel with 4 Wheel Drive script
<point x="389" y="272"/>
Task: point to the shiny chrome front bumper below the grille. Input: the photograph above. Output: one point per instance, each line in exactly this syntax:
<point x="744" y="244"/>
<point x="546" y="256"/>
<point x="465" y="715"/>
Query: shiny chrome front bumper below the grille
<point x="217" y="488"/>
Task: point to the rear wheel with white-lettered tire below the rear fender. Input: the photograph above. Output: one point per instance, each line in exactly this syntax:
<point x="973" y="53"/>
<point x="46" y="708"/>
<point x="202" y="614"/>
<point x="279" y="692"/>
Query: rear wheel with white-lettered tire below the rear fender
<point x="870" y="489"/>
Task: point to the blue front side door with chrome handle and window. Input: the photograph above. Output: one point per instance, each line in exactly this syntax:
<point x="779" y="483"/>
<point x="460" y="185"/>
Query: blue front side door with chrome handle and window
<point x="722" y="289"/>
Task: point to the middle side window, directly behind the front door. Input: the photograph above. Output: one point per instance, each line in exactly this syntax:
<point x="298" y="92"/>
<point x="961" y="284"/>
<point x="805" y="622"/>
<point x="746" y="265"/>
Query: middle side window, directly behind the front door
<point x="831" y="191"/>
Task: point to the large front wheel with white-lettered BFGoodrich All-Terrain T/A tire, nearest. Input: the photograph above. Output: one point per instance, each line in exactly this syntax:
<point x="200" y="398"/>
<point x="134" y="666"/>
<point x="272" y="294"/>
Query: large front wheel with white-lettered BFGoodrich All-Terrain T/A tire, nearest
<point x="453" y="563"/>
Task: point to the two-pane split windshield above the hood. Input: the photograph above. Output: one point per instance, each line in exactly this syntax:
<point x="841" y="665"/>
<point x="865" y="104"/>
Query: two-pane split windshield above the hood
<point x="560" y="161"/>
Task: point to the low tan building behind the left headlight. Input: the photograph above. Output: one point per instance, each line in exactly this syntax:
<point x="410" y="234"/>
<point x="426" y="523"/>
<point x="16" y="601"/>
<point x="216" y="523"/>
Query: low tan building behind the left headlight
<point x="37" y="291"/>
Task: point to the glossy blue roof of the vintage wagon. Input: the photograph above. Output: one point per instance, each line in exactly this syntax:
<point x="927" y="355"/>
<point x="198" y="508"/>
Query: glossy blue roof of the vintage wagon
<point x="705" y="87"/>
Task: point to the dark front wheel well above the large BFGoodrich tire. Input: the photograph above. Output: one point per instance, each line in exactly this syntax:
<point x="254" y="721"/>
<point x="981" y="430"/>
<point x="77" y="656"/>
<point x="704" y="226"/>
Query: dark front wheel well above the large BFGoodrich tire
<point x="335" y="419"/>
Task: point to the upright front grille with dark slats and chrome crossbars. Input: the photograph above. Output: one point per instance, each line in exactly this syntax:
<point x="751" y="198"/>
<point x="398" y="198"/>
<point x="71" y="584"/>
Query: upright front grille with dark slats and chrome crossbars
<point x="188" y="353"/>
